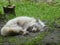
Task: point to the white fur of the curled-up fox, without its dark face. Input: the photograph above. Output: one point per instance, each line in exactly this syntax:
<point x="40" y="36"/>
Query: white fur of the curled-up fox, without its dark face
<point x="20" y="23"/>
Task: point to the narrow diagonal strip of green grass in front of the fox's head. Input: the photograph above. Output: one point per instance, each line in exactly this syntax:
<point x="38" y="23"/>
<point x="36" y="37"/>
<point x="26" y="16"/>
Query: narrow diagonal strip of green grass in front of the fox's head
<point x="37" y="40"/>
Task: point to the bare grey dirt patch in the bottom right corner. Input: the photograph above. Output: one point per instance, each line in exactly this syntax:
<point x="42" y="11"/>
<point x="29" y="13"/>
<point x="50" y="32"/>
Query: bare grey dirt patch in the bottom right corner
<point x="52" y="38"/>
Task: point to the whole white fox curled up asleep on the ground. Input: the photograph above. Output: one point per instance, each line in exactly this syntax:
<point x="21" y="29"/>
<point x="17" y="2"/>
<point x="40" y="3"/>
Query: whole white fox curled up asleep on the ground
<point x="22" y="24"/>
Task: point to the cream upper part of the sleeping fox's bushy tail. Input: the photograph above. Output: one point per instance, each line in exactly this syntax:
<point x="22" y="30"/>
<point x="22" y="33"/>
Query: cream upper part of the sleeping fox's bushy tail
<point x="5" y="30"/>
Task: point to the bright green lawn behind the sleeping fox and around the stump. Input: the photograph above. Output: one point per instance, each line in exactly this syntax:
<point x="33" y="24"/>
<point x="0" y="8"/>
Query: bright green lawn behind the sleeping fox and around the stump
<point x="41" y="10"/>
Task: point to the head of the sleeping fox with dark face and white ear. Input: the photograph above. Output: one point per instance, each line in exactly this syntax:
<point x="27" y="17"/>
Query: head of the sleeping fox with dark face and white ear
<point x="37" y="26"/>
